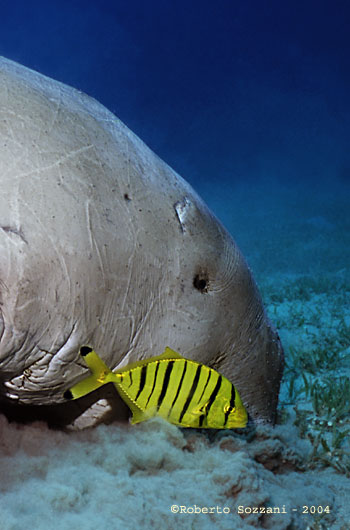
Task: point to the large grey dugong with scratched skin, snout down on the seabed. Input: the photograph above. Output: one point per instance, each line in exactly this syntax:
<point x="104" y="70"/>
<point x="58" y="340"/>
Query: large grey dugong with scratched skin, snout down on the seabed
<point x="103" y="244"/>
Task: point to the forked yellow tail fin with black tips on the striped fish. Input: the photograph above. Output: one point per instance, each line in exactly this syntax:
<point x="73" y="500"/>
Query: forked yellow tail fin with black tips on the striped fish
<point x="100" y="375"/>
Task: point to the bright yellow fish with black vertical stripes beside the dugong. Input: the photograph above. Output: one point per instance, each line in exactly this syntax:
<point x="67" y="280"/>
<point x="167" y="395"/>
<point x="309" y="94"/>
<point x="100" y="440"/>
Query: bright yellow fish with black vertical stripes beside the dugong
<point x="181" y="391"/>
